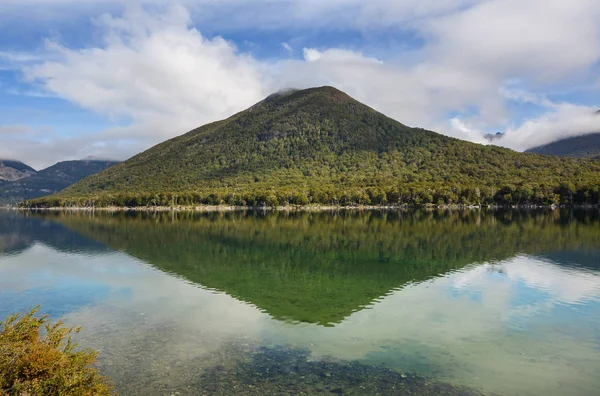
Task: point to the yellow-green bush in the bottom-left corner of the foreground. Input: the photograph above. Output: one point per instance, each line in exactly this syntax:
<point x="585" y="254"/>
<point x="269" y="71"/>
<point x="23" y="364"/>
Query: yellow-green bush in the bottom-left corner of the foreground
<point x="37" y="357"/>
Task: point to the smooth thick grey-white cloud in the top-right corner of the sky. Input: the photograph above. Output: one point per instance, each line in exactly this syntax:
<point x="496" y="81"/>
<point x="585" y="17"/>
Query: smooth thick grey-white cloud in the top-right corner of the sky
<point x="536" y="38"/>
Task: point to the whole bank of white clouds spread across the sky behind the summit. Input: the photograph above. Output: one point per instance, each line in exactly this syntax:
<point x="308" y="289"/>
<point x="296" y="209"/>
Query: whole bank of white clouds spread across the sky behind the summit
<point x="154" y="72"/>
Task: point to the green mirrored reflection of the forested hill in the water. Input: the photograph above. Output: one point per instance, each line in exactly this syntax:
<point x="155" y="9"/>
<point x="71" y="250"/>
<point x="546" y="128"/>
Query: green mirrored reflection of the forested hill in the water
<point x="320" y="267"/>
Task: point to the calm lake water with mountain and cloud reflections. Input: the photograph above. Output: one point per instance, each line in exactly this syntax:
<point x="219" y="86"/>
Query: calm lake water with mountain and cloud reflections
<point x="503" y="303"/>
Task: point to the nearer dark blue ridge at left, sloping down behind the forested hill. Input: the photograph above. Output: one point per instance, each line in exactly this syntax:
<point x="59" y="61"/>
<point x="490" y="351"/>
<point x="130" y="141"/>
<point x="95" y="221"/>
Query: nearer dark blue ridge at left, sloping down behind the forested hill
<point x="49" y="180"/>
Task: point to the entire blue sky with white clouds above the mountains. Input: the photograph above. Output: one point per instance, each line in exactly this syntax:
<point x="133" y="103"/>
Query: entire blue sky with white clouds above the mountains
<point x="109" y="79"/>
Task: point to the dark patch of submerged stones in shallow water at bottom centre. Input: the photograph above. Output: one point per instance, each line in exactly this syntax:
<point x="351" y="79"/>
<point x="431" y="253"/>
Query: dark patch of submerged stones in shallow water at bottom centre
<point x="288" y="371"/>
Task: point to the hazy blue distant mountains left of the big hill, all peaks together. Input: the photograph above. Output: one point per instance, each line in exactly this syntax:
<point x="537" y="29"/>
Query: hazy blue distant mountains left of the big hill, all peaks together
<point x="19" y="182"/>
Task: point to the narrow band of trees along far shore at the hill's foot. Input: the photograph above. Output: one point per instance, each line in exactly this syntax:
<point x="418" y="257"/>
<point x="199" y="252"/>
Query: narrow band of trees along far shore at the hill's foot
<point x="417" y="195"/>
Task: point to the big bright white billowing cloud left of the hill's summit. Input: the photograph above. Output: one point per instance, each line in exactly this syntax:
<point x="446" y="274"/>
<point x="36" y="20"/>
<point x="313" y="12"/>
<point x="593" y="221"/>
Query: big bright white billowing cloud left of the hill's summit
<point x="154" y="70"/>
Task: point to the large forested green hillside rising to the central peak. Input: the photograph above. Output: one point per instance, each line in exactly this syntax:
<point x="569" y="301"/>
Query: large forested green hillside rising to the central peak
<point x="319" y="145"/>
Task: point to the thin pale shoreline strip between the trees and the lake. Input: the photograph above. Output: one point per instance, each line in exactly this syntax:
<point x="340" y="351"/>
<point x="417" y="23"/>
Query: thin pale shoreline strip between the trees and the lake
<point x="292" y="208"/>
